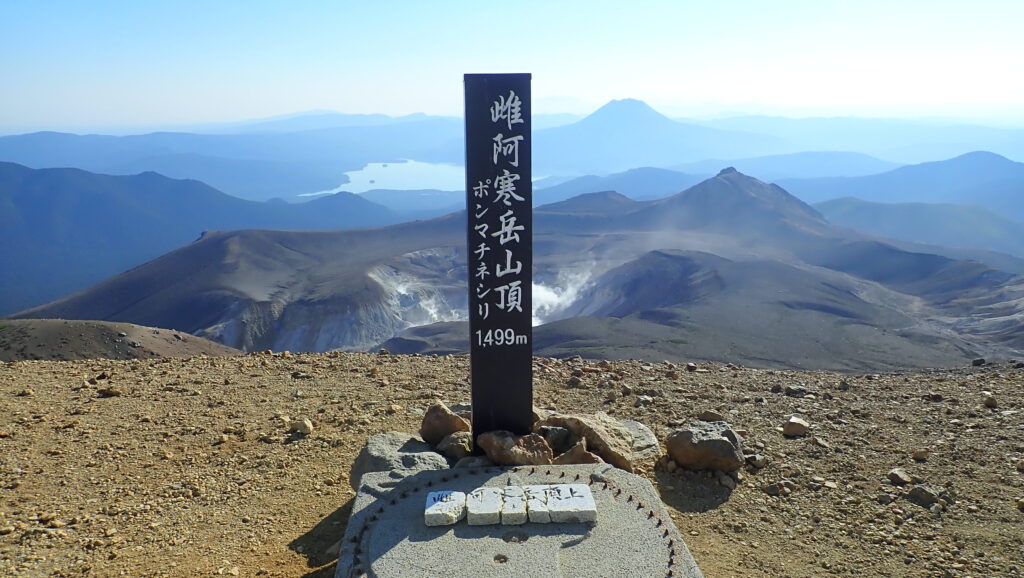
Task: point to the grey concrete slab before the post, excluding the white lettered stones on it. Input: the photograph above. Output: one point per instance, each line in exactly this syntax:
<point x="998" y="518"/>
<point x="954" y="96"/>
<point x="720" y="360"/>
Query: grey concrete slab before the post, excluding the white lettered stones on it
<point x="633" y="536"/>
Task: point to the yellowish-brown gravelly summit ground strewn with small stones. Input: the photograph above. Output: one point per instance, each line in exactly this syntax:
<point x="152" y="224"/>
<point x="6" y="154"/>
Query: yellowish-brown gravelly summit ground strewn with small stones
<point x="208" y="466"/>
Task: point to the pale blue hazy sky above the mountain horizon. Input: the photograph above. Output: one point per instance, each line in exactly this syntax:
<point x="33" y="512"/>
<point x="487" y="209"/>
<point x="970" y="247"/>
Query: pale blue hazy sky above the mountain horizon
<point x="88" y="64"/>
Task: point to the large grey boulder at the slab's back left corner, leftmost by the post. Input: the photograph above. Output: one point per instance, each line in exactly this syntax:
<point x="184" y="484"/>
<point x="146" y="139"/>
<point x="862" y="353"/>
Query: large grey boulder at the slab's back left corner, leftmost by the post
<point x="396" y="451"/>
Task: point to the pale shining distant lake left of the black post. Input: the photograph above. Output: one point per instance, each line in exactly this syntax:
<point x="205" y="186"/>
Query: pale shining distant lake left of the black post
<point x="405" y="176"/>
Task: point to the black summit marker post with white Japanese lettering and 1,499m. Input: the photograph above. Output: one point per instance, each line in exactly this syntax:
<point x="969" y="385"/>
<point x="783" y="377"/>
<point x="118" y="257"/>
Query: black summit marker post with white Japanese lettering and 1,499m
<point x="499" y="203"/>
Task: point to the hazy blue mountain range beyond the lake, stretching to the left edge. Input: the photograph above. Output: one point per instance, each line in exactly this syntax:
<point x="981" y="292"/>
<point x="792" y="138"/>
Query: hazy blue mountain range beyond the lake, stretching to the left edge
<point x="254" y="167"/>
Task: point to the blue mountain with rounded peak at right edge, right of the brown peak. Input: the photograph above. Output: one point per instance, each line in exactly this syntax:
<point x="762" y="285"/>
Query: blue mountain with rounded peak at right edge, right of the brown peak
<point x="979" y="179"/>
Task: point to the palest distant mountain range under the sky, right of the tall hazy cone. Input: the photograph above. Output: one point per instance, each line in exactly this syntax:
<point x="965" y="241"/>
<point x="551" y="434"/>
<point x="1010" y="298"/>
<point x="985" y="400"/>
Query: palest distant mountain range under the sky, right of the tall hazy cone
<point x="893" y="140"/>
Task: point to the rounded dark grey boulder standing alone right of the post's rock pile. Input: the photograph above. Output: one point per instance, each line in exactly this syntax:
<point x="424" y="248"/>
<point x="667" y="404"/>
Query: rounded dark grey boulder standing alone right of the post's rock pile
<point x="707" y="445"/>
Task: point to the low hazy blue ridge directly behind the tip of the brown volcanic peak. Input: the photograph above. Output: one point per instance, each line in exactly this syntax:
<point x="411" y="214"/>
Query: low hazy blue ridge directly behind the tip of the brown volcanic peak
<point x="796" y="166"/>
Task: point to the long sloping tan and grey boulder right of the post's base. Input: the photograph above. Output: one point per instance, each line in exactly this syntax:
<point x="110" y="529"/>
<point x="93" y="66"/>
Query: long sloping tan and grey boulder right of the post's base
<point x="607" y="437"/>
